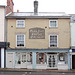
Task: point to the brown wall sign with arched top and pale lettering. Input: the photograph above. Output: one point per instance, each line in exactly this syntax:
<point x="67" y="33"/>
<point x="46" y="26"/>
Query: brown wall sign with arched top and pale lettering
<point x="36" y="33"/>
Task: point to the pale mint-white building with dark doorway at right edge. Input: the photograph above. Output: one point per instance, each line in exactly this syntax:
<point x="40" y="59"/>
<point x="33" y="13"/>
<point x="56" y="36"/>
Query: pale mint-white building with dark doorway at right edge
<point x="72" y="25"/>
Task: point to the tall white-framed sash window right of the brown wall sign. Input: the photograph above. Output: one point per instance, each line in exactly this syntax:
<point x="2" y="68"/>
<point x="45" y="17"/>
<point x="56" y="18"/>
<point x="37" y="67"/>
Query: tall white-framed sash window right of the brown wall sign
<point x="53" y="41"/>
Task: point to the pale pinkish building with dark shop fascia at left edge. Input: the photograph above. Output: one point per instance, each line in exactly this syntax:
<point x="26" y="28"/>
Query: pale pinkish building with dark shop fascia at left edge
<point x="2" y="37"/>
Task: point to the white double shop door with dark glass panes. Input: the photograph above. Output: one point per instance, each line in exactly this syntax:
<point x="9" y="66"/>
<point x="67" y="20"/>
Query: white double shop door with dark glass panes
<point x="52" y="61"/>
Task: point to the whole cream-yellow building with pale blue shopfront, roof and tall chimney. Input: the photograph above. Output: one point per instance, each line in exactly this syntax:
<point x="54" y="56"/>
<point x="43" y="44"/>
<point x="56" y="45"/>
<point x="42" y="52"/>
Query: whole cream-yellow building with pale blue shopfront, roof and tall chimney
<point x="38" y="40"/>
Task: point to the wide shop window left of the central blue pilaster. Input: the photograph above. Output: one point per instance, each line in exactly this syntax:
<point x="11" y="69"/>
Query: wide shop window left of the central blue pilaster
<point x="23" y="57"/>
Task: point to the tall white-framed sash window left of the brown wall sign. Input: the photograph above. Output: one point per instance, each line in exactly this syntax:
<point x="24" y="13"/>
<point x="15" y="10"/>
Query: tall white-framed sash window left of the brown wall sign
<point x="20" y="40"/>
